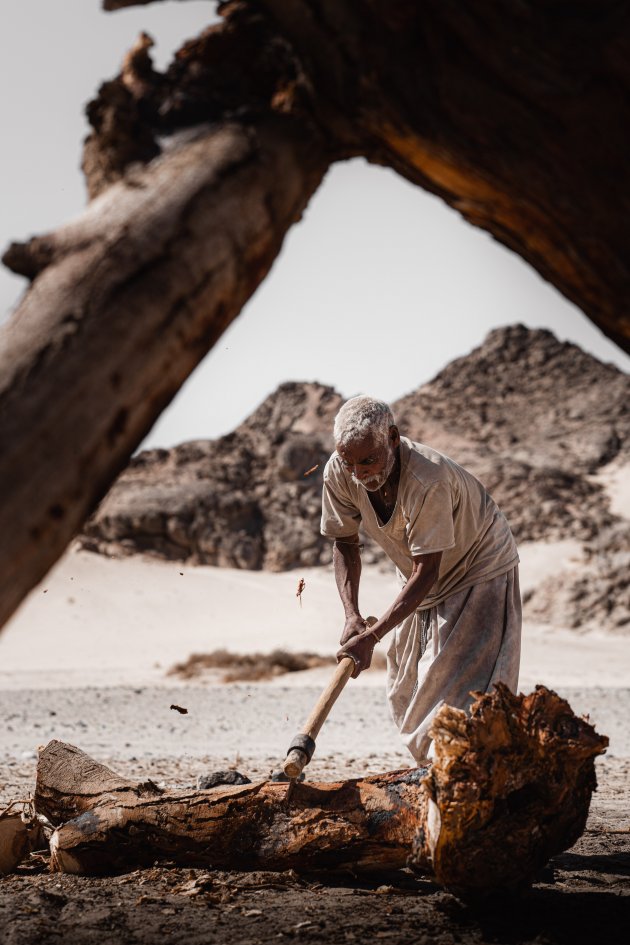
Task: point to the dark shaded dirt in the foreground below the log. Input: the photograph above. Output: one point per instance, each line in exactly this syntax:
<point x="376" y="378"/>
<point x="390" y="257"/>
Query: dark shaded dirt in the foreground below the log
<point x="582" y="897"/>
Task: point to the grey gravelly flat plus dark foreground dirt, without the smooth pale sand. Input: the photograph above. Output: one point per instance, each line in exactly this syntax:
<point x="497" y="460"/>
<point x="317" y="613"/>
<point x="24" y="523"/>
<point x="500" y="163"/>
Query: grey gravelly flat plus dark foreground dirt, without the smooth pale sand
<point x="583" y="896"/>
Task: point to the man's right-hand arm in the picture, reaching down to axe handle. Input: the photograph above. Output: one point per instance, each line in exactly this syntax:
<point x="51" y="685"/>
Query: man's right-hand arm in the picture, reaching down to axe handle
<point x="423" y="576"/>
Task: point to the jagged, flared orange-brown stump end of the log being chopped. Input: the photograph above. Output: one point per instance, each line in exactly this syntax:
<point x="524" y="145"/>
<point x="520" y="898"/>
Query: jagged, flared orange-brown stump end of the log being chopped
<point x="509" y="788"/>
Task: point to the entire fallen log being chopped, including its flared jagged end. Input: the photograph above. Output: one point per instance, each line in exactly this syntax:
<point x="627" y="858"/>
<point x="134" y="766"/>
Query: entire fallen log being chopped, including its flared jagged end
<point x="510" y="787"/>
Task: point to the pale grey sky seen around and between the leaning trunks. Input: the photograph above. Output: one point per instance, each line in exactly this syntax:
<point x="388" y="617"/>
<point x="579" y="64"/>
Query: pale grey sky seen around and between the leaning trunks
<point x="375" y="290"/>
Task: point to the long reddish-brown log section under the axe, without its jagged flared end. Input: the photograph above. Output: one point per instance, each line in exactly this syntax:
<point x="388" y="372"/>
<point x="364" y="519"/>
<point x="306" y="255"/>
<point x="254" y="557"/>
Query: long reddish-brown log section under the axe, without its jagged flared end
<point x="109" y="823"/>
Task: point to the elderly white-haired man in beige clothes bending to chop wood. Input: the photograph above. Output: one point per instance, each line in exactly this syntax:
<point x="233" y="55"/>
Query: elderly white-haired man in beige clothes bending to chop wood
<point x="455" y="626"/>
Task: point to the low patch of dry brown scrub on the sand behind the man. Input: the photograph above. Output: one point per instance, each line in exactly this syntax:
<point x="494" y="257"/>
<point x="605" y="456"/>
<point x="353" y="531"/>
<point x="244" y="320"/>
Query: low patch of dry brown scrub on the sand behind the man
<point x="254" y="667"/>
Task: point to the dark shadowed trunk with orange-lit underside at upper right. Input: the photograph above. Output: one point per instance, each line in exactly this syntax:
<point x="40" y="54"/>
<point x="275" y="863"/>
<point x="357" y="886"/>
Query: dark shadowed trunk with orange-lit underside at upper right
<point x="514" y="113"/>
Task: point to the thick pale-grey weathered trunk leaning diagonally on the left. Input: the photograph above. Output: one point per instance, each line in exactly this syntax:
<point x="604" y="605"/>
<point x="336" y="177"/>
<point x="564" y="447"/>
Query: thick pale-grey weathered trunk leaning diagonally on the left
<point x="130" y="298"/>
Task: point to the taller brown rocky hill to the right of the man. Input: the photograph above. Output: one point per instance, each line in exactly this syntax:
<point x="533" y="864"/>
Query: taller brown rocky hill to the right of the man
<point x="532" y="417"/>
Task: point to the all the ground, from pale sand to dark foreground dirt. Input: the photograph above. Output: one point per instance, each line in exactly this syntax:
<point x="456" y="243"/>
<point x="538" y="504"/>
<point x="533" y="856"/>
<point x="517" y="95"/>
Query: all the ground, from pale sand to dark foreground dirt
<point x="86" y="659"/>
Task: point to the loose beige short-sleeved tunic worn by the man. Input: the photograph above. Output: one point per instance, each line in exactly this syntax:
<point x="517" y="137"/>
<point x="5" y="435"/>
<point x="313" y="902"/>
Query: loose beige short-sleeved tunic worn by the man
<point x="440" y="507"/>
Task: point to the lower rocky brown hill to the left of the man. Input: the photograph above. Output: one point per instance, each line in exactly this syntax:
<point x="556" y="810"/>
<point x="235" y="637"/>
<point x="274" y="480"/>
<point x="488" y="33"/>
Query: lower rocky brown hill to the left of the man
<point x="250" y="499"/>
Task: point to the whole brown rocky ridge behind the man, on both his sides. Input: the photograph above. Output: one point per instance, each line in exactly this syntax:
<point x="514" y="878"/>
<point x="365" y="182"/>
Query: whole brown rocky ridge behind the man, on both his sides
<point x="534" y="418"/>
